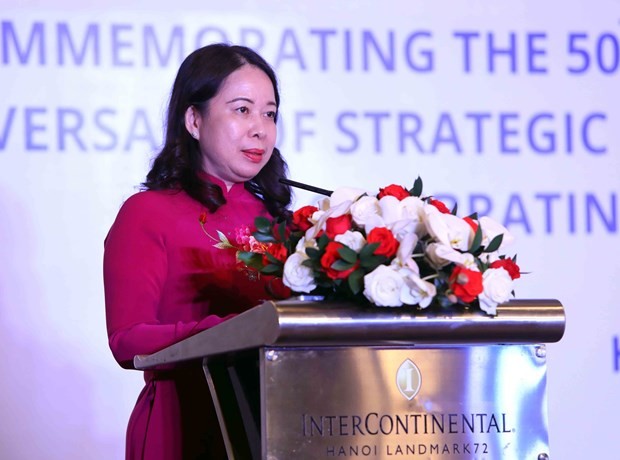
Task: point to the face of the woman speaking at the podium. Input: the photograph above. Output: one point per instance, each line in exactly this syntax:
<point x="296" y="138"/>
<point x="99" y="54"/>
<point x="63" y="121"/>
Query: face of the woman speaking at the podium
<point x="237" y="131"/>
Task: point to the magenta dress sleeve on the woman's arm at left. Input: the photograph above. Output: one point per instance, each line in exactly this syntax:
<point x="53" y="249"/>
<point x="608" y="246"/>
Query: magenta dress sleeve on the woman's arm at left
<point x="134" y="270"/>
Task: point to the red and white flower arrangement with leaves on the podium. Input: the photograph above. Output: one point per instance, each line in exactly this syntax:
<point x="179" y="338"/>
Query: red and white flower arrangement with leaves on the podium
<point x="393" y="249"/>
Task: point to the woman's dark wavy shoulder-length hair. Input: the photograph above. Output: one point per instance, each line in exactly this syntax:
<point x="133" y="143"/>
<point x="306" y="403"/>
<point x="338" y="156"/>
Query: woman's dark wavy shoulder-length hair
<point x="178" y="164"/>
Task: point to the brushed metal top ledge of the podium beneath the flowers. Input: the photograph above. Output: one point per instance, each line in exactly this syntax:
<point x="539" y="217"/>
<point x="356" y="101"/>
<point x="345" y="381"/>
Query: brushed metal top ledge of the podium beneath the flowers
<point x="300" y="322"/>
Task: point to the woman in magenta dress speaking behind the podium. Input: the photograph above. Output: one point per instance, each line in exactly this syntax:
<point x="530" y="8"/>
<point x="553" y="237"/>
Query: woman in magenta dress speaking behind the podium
<point x="164" y="279"/>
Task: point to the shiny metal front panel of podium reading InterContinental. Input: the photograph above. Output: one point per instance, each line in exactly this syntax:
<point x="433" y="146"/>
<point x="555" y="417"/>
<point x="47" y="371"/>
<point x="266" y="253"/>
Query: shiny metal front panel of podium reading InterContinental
<point x="482" y="402"/>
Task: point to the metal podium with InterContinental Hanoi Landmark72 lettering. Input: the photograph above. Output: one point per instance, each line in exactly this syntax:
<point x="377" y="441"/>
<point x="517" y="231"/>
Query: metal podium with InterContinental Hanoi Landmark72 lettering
<point x="307" y="379"/>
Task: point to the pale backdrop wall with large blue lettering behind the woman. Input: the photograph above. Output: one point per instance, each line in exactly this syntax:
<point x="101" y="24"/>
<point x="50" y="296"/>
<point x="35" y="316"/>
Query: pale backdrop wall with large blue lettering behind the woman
<point x="80" y="120"/>
